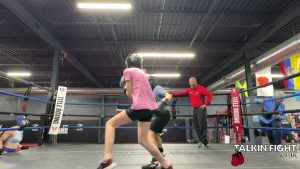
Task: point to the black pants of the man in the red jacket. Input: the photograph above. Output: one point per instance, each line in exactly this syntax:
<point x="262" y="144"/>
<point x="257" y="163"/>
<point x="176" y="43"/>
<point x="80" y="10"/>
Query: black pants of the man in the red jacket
<point x="200" y="124"/>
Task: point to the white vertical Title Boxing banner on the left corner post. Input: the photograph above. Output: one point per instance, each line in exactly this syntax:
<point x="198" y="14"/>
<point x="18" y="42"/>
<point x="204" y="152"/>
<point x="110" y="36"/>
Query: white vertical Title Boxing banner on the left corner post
<point x="58" y="110"/>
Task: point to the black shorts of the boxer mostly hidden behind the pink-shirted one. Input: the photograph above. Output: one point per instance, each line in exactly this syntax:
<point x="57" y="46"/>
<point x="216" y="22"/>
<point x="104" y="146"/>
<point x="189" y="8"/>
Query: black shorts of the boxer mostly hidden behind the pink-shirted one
<point x="160" y="120"/>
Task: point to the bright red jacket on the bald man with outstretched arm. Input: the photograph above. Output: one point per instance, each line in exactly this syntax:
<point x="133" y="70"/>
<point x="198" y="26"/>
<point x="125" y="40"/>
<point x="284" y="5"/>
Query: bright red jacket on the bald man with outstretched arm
<point x="195" y="96"/>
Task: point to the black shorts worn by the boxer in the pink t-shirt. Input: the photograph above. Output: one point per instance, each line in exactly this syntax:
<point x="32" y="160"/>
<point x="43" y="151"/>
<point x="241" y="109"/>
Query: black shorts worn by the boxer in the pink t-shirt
<point x="143" y="115"/>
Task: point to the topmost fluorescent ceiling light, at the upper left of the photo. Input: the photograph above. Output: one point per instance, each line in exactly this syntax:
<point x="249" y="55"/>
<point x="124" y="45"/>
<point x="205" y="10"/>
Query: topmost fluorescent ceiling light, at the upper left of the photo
<point x="111" y="6"/>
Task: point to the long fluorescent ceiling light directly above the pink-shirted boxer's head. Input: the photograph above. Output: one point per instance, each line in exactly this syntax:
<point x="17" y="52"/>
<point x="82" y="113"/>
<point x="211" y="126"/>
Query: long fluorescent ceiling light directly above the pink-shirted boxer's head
<point x="166" y="55"/>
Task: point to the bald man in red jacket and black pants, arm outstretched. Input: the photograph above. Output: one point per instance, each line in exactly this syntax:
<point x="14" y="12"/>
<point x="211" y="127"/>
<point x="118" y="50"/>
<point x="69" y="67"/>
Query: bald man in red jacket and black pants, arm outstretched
<point x="199" y="112"/>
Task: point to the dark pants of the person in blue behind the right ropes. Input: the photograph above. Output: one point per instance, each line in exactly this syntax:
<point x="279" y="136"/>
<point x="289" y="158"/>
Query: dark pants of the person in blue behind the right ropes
<point x="274" y="136"/>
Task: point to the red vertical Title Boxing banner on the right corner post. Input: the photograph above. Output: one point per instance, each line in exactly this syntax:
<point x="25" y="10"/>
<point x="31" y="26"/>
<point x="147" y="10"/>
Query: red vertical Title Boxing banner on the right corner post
<point x="236" y="111"/>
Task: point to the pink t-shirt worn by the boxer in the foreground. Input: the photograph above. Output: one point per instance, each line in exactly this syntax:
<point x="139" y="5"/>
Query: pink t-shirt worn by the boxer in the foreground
<point x="142" y="97"/>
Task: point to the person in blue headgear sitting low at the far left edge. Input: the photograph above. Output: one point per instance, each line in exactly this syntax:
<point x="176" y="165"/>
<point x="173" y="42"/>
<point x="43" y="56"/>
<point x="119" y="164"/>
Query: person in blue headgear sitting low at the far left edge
<point x="10" y="140"/>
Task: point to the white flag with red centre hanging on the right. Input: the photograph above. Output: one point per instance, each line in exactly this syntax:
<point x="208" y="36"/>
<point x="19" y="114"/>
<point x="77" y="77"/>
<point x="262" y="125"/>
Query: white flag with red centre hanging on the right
<point x="263" y="77"/>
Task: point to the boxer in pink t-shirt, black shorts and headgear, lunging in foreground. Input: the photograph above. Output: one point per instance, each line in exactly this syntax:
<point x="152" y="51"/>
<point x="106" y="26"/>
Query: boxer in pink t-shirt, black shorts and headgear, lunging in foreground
<point x="139" y="90"/>
